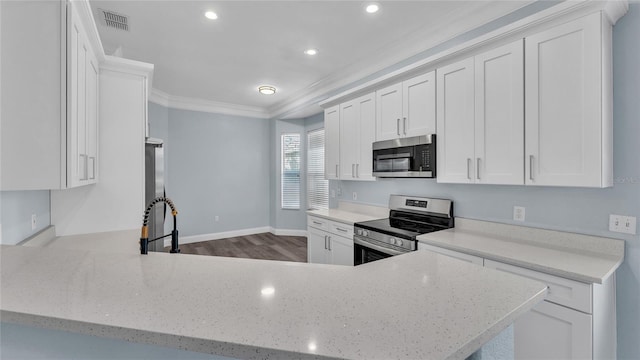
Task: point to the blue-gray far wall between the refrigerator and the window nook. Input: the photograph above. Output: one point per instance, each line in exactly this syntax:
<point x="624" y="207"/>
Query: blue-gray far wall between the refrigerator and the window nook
<point x="218" y="166"/>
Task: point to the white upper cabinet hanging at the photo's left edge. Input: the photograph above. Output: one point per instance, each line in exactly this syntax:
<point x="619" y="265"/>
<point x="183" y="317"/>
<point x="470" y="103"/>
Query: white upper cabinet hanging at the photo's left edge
<point x="49" y="96"/>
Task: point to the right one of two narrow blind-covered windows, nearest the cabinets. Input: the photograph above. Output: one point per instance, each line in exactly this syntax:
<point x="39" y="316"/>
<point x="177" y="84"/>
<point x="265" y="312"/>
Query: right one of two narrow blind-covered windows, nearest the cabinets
<point x="317" y="185"/>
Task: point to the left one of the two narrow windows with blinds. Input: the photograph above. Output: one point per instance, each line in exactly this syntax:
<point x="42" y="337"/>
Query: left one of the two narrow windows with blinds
<point x="290" y="179"/>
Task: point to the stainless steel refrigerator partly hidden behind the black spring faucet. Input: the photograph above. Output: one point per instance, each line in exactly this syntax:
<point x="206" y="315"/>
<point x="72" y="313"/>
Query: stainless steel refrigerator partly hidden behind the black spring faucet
<point x="153" y="188"/>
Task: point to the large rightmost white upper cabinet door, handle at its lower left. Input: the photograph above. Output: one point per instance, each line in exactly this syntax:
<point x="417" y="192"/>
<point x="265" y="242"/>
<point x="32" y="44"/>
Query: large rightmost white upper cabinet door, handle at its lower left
<point x="563" y="75"/>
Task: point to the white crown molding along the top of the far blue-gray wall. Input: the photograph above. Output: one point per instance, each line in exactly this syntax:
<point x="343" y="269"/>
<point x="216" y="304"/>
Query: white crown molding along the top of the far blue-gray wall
<point x="216" y="107"/>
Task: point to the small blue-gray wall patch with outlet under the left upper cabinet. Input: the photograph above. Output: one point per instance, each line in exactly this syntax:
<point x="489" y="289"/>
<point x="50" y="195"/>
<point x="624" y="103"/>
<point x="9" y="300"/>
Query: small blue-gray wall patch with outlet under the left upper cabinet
<point x="16" y="208"/>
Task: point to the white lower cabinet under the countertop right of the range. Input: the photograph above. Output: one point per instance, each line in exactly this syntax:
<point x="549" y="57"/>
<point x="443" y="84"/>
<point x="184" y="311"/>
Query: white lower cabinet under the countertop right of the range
<point x="576" y="321"/>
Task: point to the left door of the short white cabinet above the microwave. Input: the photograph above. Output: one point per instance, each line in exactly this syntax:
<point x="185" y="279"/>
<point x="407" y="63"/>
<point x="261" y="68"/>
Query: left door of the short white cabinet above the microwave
<point x="389" y="112"/>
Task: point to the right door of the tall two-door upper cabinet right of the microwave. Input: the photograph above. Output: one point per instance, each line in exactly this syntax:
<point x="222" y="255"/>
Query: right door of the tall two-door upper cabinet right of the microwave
<point x="499" y="115"/>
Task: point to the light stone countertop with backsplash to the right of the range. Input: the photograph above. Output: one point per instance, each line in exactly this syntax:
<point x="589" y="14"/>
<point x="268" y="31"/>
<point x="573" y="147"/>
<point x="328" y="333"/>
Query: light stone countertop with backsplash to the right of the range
<point x="584" y="258"/>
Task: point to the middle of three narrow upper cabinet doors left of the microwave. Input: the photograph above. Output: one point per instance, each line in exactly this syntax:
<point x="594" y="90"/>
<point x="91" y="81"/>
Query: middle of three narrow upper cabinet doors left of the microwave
<point x="349" y="139"/>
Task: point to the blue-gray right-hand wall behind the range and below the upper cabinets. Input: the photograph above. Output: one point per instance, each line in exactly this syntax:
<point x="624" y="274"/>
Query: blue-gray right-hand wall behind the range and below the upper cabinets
<point x="580" y="210"/>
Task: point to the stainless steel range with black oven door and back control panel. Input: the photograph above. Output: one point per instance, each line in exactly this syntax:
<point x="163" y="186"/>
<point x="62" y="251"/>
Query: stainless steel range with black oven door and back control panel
<point x="409" y="216"/>
